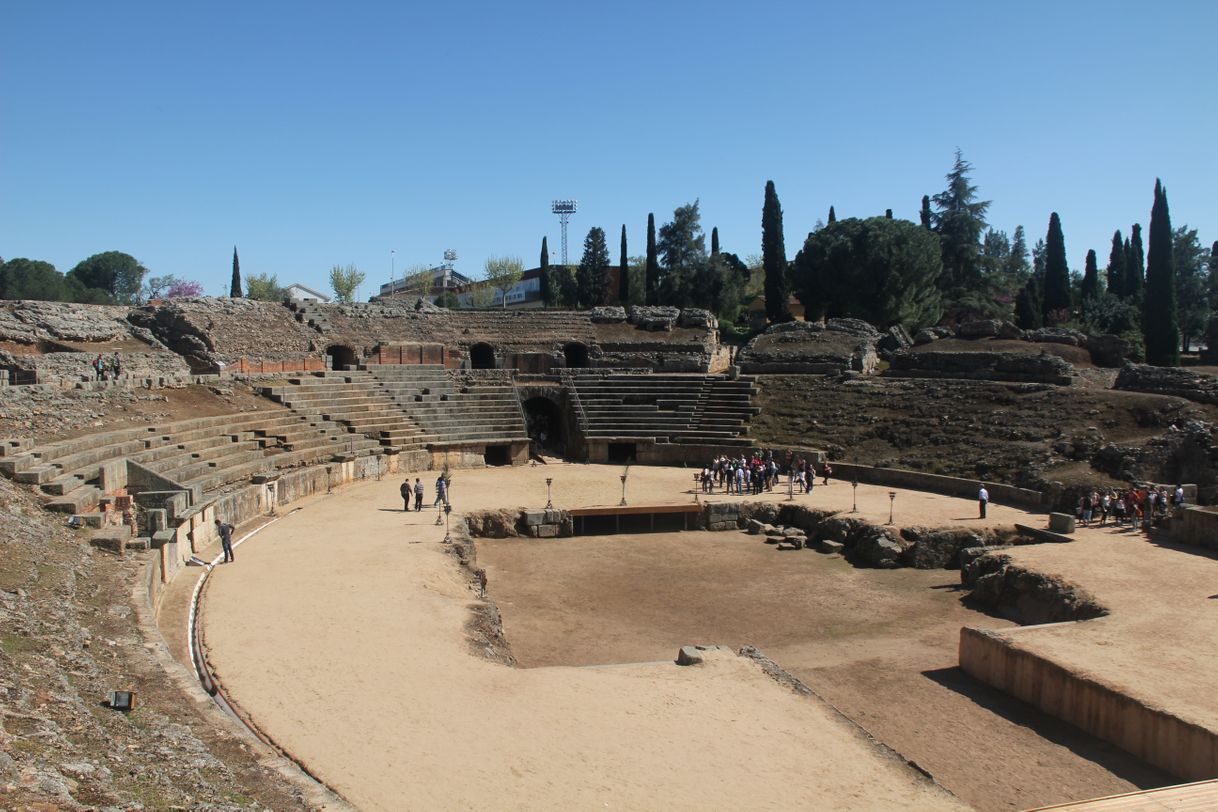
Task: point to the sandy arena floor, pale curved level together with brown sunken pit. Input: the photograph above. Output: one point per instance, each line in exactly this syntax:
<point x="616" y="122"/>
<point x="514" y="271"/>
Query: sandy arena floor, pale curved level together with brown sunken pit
<point x="340" y="630"/>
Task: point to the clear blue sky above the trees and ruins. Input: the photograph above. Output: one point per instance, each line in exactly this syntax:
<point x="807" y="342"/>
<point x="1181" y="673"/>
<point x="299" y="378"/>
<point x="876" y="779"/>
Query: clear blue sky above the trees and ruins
<point x="310" y="135"/>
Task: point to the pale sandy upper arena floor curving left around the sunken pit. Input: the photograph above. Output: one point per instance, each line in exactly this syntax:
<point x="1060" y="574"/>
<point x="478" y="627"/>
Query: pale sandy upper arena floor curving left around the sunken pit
<point x="340" y="630"/>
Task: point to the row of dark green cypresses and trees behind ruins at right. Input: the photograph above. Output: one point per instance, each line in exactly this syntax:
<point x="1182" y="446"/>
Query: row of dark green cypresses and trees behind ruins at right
<point x="949" y="267"/>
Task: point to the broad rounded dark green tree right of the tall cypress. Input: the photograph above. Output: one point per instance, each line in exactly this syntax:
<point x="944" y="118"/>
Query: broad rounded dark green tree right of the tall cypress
<point x="881" y="271"/>
